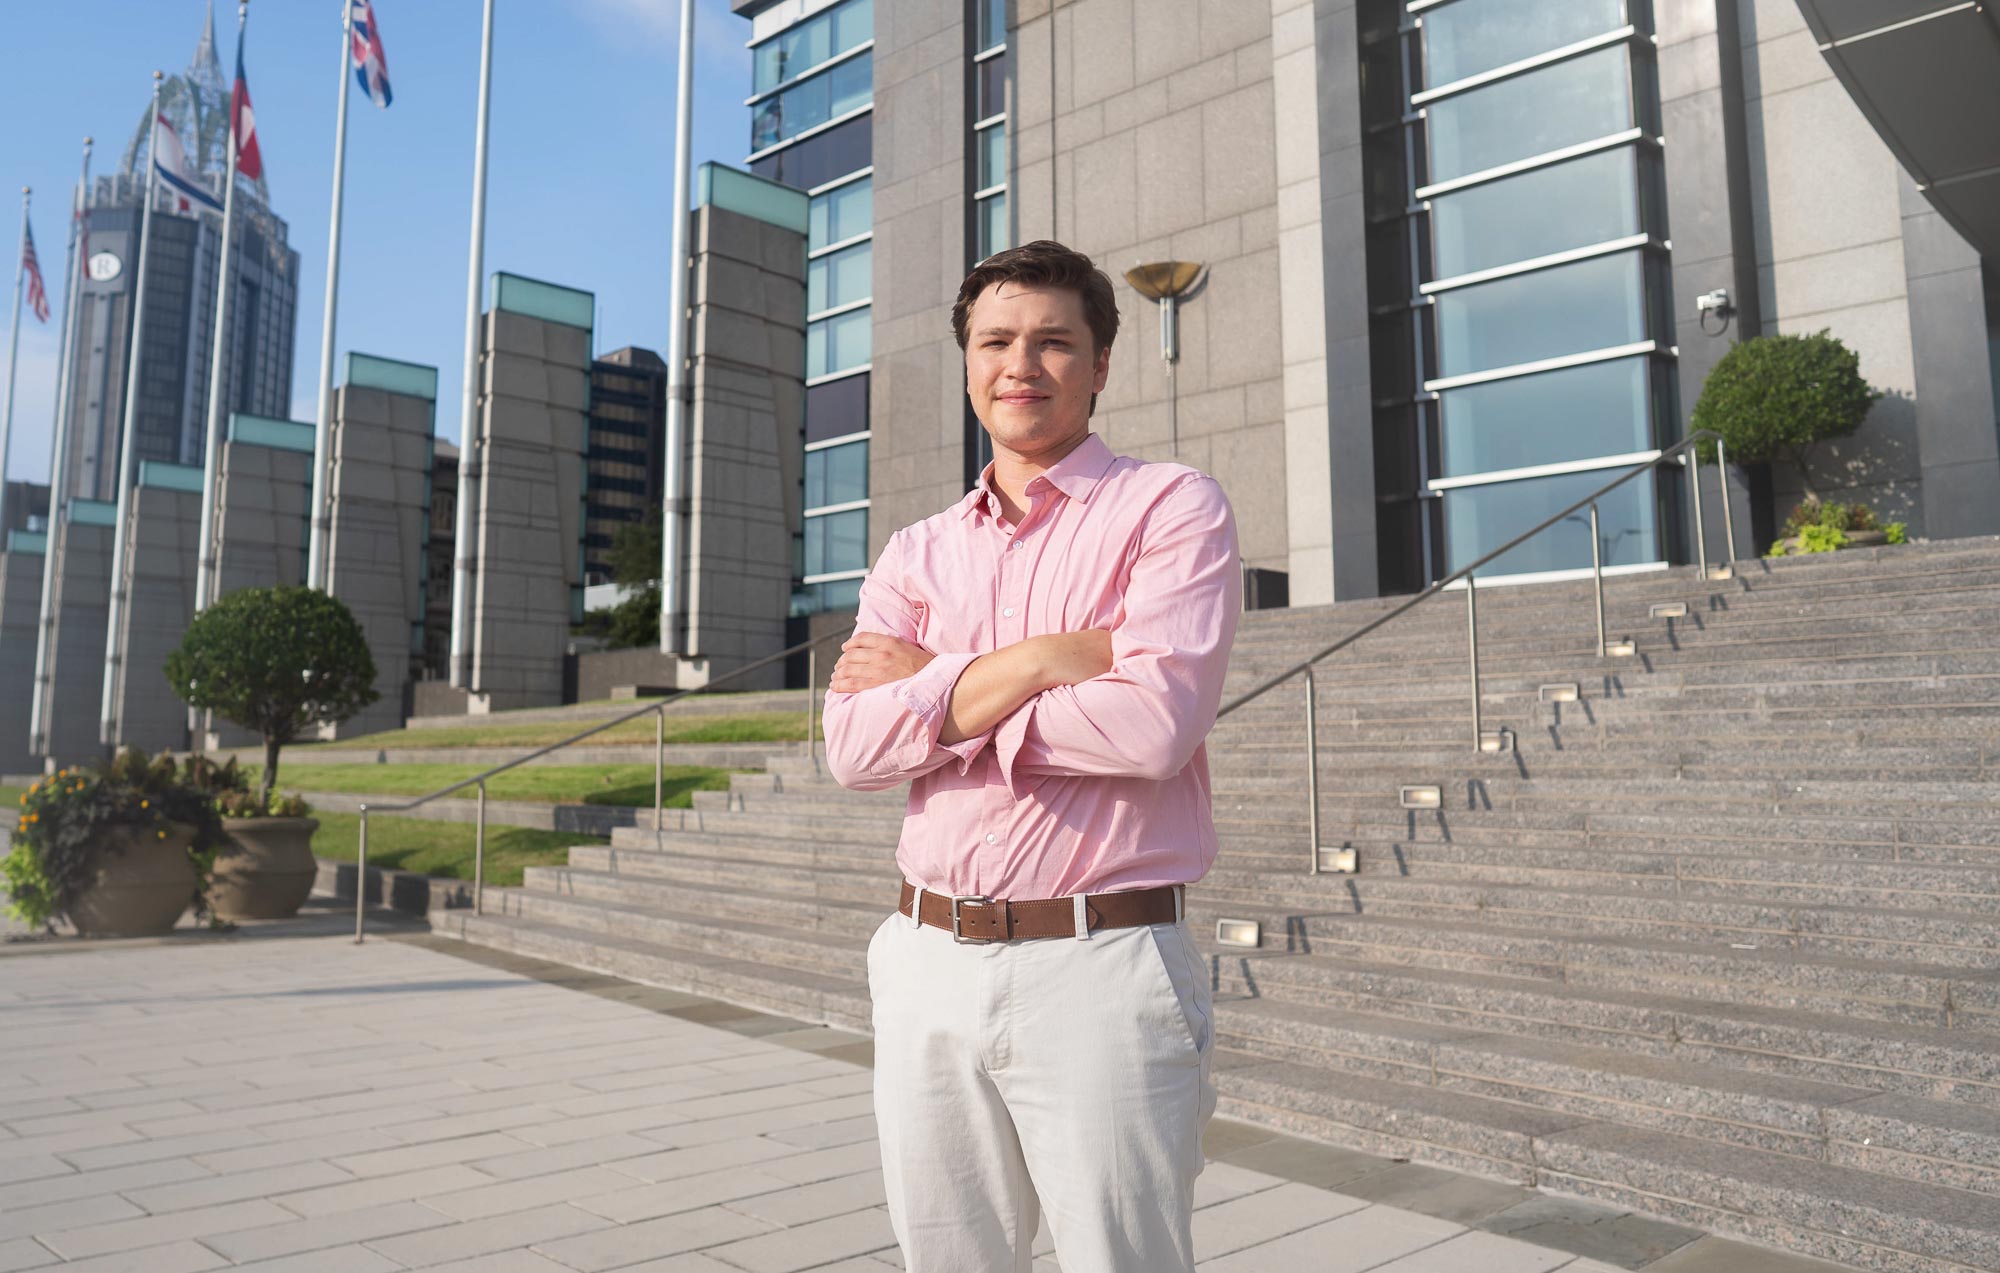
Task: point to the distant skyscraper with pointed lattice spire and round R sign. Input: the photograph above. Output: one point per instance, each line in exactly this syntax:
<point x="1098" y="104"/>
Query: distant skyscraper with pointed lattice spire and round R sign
<point x="181" y="297"/>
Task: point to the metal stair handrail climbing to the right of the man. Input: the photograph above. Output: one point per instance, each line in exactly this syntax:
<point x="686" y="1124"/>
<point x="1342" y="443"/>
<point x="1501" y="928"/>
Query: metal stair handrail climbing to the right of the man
<point x="1683" y="453"/>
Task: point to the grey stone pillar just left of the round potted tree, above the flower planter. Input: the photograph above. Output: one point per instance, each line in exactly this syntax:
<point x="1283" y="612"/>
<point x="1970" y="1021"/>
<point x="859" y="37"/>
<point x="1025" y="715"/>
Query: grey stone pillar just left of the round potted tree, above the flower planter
<point x="161" y="557"/>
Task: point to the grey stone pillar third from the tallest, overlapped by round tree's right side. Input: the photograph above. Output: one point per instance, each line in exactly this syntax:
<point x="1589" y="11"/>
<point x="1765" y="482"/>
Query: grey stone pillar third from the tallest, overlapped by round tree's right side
<point x="375" y="549"/>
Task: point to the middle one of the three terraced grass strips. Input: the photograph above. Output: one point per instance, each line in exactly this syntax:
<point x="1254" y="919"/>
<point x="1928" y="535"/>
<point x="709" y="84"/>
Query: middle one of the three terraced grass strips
<point x="629" y="786"/>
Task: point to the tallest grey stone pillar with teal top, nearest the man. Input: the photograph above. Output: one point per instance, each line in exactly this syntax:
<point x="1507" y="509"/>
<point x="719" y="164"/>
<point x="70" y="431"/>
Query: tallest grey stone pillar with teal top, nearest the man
<point x="749" y="351"/>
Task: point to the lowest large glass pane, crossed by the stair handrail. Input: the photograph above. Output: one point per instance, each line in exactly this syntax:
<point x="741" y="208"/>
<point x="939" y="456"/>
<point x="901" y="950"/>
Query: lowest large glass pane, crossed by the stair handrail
<point x="1479" y="519"/>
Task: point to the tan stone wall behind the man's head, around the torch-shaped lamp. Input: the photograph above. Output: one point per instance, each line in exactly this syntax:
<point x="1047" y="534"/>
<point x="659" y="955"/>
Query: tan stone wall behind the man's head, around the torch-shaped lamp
<point x="1149" y="133"/>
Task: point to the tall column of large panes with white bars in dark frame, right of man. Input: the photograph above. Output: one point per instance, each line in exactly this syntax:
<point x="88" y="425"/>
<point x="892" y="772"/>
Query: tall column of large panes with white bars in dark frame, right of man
<point x="1521" y="329"/>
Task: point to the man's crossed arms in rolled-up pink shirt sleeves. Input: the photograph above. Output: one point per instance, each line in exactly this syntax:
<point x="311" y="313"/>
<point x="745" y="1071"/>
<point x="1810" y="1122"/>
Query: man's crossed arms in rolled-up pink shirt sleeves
<point x="1131" y="702"/>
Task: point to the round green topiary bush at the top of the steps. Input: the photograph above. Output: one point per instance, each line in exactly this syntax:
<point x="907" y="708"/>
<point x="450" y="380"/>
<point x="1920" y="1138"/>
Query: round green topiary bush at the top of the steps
<point x="1779" y="399"/>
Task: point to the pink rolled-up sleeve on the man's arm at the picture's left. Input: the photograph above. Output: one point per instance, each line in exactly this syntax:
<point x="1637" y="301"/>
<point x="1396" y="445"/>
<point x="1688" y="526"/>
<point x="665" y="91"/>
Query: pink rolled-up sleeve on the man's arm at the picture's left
<point x="889" y="734"/>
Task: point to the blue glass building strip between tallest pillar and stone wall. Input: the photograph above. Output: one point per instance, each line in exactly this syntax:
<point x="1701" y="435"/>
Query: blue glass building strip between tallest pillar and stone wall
<point x="811" y="127"/>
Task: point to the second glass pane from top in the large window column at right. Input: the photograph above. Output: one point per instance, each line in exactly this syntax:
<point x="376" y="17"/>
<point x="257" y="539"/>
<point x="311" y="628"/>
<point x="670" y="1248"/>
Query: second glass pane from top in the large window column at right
<point x="1529" y="115"/>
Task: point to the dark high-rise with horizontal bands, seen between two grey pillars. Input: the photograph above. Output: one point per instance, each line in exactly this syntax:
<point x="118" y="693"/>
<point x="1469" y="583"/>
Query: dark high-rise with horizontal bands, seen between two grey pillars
<point x="625" y="459"/>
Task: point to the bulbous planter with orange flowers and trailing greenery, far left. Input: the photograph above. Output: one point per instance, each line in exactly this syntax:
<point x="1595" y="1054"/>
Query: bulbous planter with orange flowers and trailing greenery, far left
<point x="119" y="850"/>
